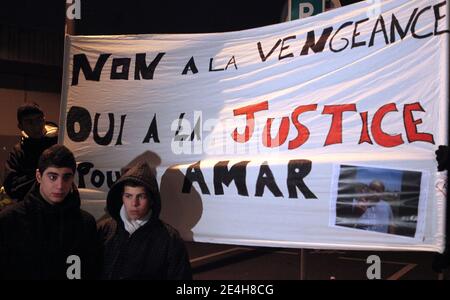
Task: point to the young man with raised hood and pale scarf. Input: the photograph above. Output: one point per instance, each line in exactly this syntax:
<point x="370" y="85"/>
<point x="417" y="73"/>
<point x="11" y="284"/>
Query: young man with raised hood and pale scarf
<point x="137" y="244"/>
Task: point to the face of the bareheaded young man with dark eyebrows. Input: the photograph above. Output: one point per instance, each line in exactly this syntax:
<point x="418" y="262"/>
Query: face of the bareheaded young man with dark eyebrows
<point x="55" y="183"/>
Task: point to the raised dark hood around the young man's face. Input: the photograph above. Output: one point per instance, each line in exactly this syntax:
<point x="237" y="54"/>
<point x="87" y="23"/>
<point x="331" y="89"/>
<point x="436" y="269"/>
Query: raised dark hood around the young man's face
<point x="141" y="174"/>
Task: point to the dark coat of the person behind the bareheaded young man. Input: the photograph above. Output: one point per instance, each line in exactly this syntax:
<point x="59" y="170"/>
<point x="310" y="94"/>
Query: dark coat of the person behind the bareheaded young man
<point x="20" y="168"/>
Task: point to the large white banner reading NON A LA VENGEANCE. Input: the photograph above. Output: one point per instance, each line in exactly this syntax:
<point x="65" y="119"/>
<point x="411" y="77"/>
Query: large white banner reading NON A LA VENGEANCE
<point x="317" y="133"/>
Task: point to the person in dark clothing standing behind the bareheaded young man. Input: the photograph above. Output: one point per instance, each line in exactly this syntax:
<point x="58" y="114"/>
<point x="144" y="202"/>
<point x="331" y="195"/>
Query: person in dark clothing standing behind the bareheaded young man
<point x="37" y="135"/>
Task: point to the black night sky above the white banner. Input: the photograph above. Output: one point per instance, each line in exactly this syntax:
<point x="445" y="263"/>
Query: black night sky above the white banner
<point x="145" y="16"/>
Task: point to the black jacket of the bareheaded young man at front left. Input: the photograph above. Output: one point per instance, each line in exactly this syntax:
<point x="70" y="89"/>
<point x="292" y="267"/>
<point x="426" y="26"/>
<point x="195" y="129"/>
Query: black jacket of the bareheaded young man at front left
<point x="36" y="238"/>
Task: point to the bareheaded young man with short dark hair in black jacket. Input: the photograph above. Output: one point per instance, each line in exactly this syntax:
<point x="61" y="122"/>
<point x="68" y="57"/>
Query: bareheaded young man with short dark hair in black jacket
<point x="39" y="234"/>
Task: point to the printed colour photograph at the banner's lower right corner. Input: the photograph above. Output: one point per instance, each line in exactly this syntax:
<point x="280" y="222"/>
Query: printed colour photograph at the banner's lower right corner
<point x="378" y="200"/>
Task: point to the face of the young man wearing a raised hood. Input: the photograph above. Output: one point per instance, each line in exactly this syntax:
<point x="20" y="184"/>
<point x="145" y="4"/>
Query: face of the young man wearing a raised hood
<point x="136" y="202"/>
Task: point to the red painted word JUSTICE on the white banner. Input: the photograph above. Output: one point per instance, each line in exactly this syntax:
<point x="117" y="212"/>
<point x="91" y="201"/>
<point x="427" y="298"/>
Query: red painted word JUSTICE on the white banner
<point x="379" y="135"/>
